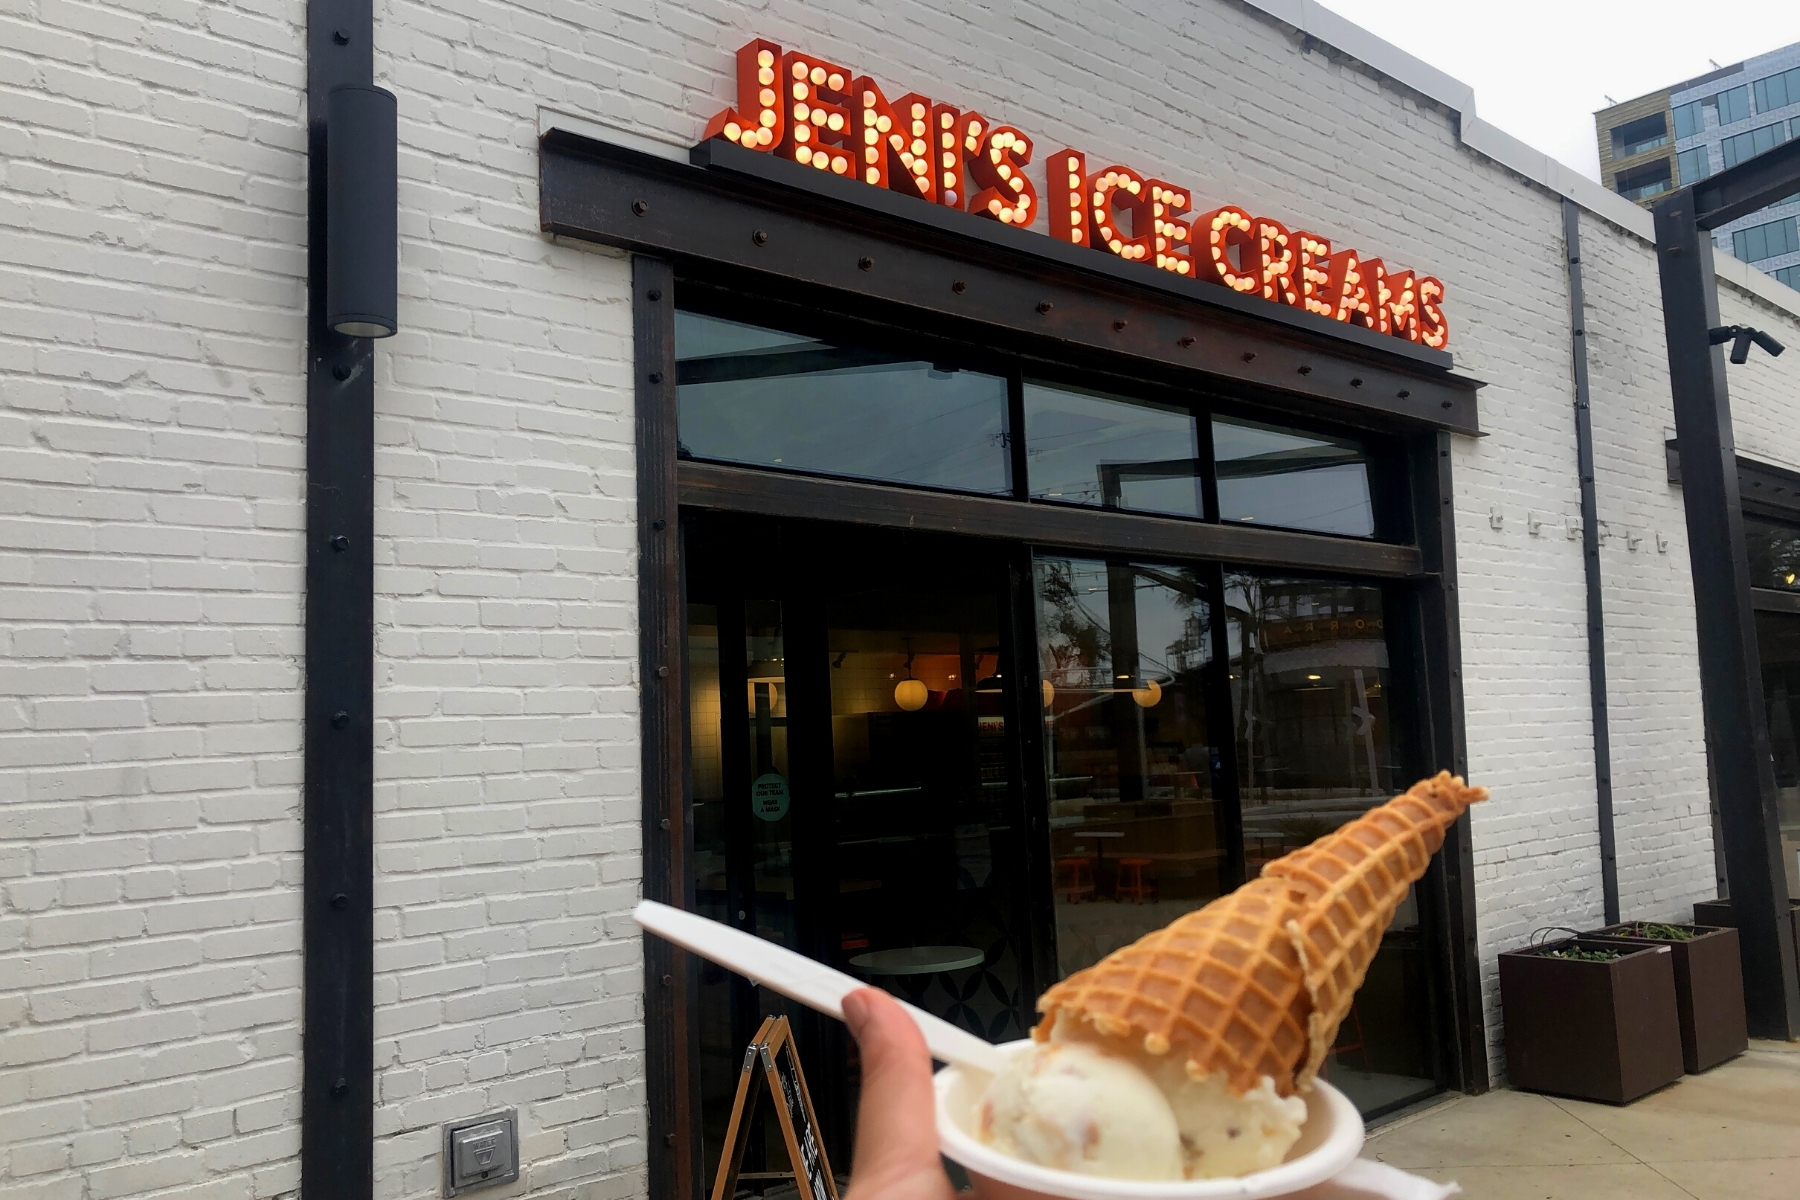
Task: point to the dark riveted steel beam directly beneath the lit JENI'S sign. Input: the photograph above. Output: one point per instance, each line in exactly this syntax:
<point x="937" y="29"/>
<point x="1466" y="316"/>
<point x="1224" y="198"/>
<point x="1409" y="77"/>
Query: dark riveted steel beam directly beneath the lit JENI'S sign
<point x="1009" y="283"/>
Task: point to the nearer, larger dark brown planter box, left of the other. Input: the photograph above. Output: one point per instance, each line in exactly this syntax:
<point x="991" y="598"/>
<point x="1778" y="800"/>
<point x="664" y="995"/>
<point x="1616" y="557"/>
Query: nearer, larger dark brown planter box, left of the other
<point x="1603" y="1032"/>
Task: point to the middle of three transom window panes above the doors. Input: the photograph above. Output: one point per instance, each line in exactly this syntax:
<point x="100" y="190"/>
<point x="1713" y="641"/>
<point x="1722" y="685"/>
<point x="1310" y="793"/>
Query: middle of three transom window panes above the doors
<point x="1095" y="449"/>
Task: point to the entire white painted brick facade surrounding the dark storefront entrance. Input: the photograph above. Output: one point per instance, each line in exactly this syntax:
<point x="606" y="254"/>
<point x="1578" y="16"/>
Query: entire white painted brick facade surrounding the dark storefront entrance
<point x="152" y="256"/>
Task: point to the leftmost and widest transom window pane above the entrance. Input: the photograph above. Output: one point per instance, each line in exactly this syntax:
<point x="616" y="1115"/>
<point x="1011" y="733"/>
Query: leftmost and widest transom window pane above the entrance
<point x="784" y="400"/>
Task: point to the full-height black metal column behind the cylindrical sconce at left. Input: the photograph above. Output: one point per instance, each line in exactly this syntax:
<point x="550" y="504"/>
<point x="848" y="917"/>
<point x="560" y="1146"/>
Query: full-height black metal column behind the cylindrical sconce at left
<point x="337" y="1107"/>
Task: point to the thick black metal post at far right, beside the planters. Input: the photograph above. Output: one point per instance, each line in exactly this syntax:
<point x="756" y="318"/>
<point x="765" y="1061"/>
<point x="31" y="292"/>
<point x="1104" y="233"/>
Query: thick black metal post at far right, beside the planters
<point x="1729" y="661"/>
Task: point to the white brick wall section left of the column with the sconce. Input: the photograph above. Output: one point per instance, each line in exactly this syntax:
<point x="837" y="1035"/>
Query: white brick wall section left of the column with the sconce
<point x="152" y="242"/>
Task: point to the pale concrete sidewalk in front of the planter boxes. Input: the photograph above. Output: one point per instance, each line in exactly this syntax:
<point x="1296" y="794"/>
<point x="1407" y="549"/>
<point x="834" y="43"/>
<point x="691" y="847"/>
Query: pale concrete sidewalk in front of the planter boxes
<point x="1731" y="1134"/>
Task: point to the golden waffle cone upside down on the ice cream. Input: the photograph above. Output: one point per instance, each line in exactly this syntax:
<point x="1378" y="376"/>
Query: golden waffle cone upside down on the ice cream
<point x="1257" y="983"/>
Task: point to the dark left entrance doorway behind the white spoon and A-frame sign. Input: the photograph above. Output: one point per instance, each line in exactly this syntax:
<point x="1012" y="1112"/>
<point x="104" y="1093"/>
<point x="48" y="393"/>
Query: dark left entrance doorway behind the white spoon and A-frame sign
<point x="856" y="789"/>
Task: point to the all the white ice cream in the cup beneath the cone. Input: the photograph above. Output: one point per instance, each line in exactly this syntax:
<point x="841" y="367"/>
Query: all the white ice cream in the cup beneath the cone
<point x="1083" y="1106"/>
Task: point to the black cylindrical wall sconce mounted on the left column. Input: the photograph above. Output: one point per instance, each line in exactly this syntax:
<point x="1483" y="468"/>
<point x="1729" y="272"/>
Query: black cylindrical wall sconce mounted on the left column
<point x="363" y="202"/>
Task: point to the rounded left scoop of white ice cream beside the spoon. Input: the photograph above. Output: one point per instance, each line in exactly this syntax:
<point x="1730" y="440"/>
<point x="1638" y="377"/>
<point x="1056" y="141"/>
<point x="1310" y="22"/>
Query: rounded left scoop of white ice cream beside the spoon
<point x="1074" y="1107"/>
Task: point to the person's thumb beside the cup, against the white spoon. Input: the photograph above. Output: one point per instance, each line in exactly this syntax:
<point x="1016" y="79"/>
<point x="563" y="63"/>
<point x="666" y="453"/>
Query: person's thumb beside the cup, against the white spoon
<point x="897" y="1131"/>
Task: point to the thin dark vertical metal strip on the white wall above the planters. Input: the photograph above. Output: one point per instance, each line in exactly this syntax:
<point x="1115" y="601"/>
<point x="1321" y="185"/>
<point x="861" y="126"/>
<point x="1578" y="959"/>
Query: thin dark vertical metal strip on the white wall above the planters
<point x="1590" y="553"/>
